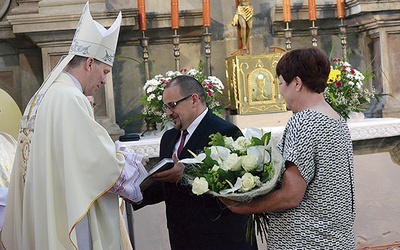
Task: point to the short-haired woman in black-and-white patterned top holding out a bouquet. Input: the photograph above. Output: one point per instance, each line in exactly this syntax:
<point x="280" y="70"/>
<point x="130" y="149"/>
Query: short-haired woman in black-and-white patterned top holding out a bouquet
<point x="314" y="207"/>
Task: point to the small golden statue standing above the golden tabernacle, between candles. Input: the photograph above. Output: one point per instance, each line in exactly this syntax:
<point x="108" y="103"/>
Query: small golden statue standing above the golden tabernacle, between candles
<point x="244" y="18"/>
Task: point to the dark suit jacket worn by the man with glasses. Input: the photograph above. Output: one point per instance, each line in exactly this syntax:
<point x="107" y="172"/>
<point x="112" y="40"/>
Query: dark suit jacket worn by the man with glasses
<point x="198" y="222"/>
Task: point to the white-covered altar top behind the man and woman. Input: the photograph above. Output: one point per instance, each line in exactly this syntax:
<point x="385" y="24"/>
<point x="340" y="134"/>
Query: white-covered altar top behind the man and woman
<point x="369" y="135"/>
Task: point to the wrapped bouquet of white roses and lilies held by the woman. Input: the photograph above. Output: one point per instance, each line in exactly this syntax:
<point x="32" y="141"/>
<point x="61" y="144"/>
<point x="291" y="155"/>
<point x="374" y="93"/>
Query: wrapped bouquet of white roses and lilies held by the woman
<point x="239" y="170"/>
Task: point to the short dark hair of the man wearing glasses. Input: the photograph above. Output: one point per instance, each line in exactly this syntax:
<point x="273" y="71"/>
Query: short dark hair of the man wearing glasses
<point x="188" y="85"/>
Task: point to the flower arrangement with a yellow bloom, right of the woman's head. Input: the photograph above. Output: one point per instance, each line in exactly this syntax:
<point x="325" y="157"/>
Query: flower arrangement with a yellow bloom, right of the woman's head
<point x="346" y="89"/>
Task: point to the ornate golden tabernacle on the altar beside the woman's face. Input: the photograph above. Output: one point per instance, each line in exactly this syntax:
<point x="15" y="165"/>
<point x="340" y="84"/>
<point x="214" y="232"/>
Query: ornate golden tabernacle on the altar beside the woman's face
<point x="253" y="87"/>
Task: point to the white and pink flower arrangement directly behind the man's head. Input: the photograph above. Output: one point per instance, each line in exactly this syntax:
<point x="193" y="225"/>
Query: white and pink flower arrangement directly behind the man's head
<point x="152" y="99"/>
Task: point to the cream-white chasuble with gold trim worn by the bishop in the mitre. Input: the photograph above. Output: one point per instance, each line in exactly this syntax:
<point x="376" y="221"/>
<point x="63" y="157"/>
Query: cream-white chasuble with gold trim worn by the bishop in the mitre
<point x="65" y="164"/>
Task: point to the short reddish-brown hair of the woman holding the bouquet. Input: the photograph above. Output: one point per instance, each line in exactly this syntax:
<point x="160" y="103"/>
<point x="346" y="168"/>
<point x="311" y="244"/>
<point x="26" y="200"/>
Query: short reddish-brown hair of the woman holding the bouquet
<point x="311" y="65"/>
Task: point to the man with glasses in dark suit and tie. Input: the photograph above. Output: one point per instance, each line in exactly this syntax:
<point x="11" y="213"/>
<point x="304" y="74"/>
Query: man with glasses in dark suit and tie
<point x="194" y="222"/>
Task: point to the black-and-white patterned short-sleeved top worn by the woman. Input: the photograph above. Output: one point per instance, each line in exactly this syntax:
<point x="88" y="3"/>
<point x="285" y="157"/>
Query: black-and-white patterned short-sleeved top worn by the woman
<point x="321" y="148"/>
